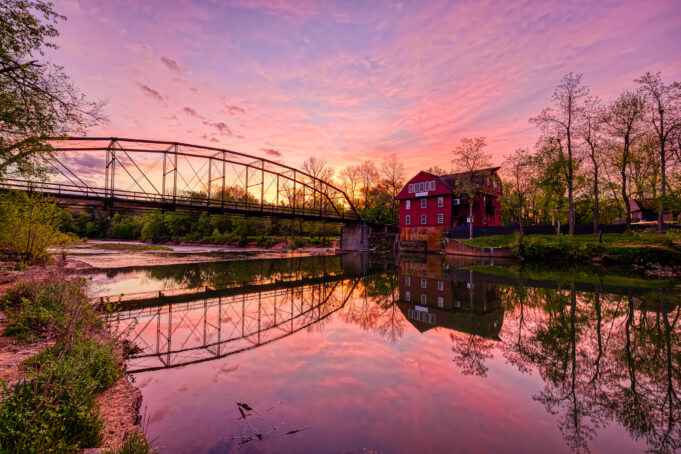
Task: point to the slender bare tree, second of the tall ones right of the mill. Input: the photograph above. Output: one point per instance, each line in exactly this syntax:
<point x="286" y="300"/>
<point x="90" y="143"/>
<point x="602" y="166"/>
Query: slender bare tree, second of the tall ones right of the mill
<point x="590" y="129"/>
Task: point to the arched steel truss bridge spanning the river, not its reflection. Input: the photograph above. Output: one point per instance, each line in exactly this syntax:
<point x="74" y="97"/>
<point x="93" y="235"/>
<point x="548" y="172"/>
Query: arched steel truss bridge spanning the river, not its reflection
<point x="137" y="173"/>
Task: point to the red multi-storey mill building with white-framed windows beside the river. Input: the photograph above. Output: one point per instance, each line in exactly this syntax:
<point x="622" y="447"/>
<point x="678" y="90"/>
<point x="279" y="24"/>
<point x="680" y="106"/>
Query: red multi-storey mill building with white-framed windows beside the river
<point x="430" y="204"/>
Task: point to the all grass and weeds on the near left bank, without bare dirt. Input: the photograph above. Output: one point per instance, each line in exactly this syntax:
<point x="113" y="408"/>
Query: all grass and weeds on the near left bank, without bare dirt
<point x="52" y="409"/>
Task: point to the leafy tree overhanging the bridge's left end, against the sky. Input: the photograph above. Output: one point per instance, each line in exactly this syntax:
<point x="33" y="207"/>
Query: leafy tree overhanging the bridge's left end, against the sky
<point x="37" y="99"/>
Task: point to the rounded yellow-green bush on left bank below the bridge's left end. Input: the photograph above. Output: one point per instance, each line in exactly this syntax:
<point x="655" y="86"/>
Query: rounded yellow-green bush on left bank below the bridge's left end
<point x="29" y="224"/>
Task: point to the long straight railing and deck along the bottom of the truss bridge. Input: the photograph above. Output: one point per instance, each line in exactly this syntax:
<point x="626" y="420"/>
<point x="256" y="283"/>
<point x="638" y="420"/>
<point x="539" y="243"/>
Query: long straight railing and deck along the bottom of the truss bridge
<point x="168" y="201"/>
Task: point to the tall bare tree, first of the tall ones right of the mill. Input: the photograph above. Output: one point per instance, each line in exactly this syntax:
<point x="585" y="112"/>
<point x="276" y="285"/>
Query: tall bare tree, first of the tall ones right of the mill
<point x="559" y="121"/>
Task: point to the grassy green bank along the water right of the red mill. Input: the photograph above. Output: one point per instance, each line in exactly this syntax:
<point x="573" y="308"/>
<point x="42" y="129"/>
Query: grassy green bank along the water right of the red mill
<point x="635" y="248"/>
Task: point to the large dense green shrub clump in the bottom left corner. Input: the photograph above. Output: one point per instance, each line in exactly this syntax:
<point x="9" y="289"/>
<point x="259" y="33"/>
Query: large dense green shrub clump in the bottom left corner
<point x="53" y="409"/>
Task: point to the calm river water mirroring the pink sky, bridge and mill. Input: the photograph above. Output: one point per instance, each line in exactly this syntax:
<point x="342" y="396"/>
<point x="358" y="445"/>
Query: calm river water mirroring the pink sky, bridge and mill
<point x="357" y="353"/>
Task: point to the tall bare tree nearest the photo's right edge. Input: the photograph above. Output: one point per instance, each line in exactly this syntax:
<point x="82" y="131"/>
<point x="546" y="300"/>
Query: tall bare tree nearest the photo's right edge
<point x="664" y="112"/>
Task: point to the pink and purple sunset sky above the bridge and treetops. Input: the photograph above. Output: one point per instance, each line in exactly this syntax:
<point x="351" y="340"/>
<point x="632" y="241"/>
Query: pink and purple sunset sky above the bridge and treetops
<point x="351" y="81"/>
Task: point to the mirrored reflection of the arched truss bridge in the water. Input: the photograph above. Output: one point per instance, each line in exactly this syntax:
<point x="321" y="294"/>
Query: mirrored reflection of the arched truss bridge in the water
<point x="203" y="328"/>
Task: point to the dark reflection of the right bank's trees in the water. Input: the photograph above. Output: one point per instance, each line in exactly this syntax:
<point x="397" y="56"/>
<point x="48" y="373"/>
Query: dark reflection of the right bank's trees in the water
<point x="601" y="358"/>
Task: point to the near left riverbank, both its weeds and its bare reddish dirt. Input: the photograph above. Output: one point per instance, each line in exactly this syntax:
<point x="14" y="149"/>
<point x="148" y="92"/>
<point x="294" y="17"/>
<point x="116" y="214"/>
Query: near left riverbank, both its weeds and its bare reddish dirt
<point x="64" y="379"/>
